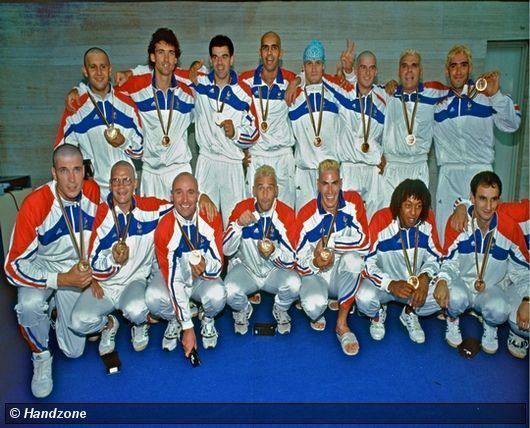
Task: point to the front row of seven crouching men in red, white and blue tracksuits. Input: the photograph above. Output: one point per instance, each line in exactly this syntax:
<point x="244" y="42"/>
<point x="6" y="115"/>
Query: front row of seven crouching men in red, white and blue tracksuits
<point x="324" y="252"/>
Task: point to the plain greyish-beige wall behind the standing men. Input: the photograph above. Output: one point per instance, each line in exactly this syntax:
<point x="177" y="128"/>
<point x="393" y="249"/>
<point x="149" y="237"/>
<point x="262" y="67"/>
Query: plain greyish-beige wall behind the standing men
<point x="42" y="46"/>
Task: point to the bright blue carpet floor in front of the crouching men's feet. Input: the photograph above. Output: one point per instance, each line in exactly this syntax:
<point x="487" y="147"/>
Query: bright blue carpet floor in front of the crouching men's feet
<point x="305" y="366"/>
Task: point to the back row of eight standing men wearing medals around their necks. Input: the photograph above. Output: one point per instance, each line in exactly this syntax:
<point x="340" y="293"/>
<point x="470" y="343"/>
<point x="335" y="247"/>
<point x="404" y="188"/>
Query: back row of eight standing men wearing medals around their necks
<point x="379" y="138"/>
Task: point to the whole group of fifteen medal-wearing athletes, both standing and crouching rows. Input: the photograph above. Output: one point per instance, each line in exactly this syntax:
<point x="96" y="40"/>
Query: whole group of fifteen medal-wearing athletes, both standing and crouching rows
<point x="322" y="155"/>
